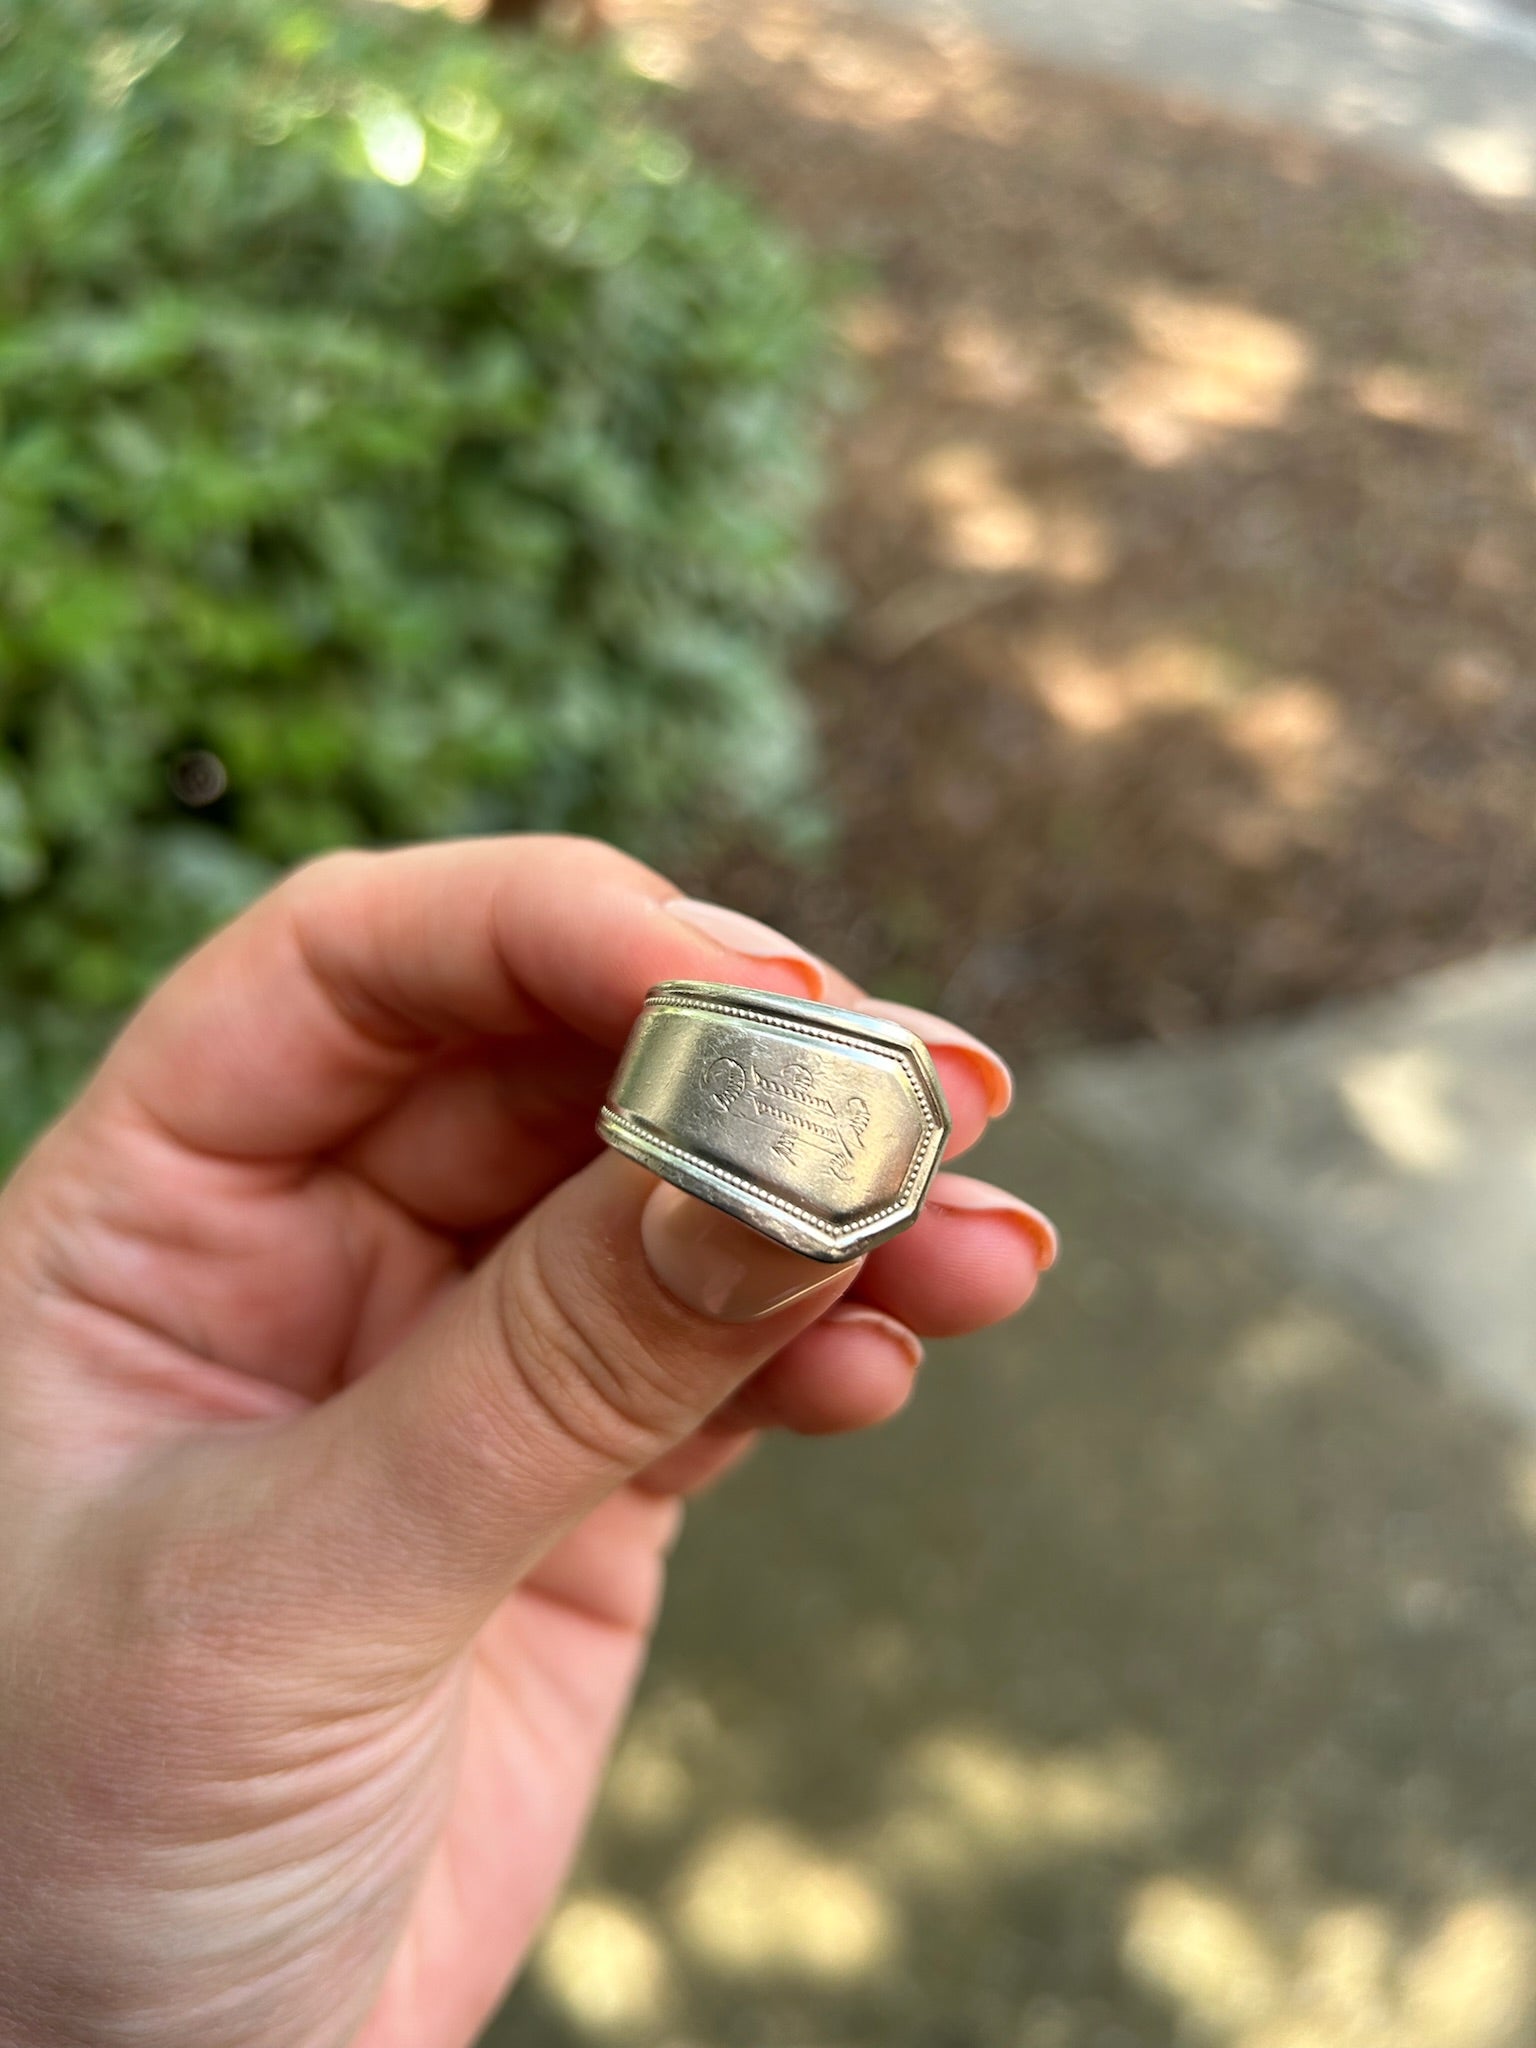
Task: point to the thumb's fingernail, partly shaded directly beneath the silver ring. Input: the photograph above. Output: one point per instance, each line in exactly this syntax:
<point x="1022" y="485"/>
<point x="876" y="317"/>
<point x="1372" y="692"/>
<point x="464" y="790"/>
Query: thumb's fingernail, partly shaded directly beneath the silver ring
<point x="718" y="1267"/>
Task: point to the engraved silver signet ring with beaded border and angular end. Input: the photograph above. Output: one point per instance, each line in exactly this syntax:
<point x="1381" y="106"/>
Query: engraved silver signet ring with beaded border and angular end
<point x="818" y="1127"/>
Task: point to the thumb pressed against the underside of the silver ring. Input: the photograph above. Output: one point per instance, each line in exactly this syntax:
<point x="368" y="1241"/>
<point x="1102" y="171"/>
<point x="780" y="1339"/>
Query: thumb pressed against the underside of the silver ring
<point x="597" y="1336"/>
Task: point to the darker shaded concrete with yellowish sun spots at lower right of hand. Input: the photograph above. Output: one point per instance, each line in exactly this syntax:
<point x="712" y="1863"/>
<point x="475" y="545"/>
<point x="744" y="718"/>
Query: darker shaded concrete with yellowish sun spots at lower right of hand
<point x="1166" y="1676"/>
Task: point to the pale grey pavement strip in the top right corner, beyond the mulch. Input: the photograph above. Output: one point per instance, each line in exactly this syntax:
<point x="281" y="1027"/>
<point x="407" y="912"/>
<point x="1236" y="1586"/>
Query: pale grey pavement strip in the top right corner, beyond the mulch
<point x="1441" y="83"/>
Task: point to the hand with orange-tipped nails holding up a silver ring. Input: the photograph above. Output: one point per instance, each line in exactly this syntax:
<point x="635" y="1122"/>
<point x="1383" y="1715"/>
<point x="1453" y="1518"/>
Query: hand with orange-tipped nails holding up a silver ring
<point x="347" y="1396"/>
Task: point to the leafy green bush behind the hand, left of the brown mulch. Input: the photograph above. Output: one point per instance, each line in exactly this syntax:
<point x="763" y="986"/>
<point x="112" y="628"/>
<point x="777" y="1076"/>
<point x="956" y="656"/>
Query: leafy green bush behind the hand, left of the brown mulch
<point x="398" y="437"/>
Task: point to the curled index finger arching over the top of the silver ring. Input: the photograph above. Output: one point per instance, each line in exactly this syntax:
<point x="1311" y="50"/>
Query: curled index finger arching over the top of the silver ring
<point x="306" y="1019"/>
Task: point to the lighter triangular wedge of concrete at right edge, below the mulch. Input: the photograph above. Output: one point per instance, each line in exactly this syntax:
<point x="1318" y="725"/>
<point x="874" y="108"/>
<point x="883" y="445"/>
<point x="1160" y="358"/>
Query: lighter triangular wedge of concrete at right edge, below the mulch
<point x="1385" y="1148"/>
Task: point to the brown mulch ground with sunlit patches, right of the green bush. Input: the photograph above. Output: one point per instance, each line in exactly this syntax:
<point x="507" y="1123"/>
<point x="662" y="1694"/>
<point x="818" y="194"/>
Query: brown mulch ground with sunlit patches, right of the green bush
<point x="1189" y="536"/>
